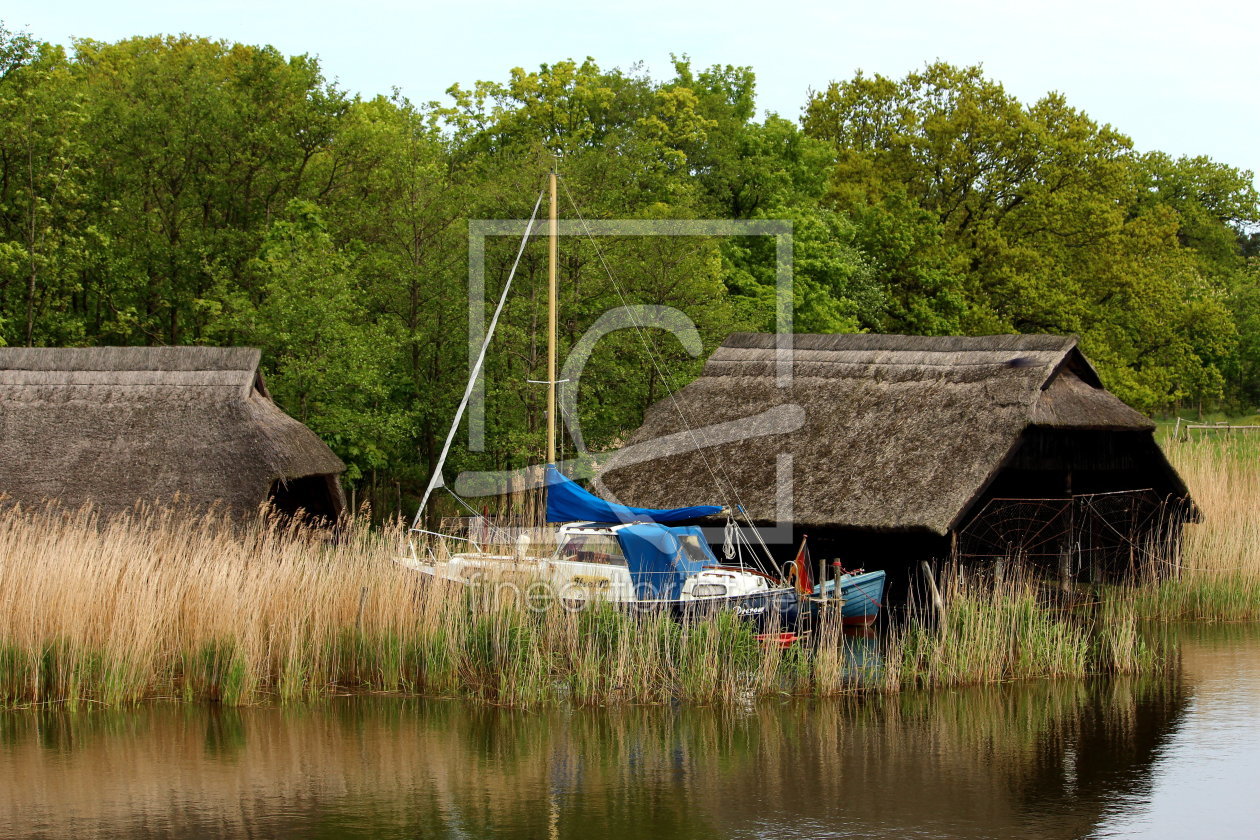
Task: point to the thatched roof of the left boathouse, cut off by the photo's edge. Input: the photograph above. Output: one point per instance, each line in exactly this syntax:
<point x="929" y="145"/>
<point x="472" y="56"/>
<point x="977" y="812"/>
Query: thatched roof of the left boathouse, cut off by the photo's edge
<point x="119" y="425"/>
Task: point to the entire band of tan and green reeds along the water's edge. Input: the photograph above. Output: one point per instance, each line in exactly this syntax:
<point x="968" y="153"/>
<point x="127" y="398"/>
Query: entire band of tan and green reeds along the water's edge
<point x="159" y="605"/>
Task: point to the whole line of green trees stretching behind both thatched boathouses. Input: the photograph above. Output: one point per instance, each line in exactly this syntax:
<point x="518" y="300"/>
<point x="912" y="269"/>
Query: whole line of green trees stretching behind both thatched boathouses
<point x="183" y="191"/>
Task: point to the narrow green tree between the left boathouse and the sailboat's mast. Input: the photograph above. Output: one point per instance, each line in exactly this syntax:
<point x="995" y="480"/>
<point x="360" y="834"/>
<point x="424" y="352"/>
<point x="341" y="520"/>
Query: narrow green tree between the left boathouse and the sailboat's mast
<point x="398" y="202"/>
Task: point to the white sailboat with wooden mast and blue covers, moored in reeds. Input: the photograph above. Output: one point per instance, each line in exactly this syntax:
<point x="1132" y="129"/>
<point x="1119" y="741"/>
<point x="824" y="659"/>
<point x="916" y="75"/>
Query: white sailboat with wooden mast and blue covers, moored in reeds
<point x="656" y="559"/>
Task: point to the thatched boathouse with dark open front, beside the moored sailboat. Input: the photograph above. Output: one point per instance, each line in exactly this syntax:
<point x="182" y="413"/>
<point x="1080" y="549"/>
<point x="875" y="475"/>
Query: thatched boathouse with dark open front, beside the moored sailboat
<point x="890" y="450"/>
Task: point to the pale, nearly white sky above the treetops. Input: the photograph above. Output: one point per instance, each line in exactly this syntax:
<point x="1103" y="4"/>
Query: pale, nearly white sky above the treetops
<point x="1176" y="77"/>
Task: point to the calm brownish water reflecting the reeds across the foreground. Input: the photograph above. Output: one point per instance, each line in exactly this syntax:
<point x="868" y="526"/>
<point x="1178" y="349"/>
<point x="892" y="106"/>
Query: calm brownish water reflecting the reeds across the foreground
<point x="1175" y="758"/>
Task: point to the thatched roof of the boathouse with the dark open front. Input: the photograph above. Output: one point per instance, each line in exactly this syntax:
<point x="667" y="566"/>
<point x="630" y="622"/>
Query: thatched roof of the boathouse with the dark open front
<point x="876" y="431"/>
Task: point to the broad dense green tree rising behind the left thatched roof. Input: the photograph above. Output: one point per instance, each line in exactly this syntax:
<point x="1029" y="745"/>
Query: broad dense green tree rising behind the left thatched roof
<point x="197" y="147"/>
